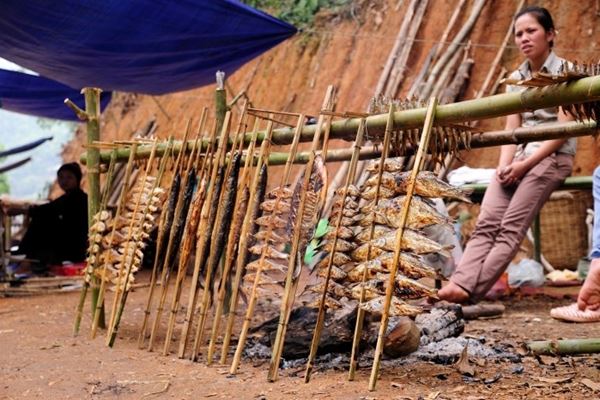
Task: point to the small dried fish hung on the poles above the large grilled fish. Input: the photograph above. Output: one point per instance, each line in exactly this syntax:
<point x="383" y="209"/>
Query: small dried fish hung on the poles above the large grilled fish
<point x="447" y="139"/>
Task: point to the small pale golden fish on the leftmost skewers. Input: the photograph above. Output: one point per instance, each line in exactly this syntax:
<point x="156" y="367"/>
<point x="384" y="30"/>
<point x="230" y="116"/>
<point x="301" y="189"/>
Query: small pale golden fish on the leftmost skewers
<point x="117" y="243"/>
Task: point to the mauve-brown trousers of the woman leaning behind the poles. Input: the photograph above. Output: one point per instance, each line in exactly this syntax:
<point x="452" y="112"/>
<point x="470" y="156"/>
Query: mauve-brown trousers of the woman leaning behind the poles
<point x="506" y="214"/>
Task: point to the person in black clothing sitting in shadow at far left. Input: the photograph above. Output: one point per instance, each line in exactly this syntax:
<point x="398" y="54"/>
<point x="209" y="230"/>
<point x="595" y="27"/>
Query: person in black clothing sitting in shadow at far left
<point x="58" y="230"/>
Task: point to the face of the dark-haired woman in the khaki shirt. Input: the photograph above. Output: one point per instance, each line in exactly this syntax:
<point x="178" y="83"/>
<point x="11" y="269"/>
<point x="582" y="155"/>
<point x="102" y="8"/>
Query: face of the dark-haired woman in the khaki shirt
<point x="531" y="38"/>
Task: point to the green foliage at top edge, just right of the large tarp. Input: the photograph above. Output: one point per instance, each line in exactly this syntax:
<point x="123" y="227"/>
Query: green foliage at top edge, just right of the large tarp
<point x="300" y="13"/>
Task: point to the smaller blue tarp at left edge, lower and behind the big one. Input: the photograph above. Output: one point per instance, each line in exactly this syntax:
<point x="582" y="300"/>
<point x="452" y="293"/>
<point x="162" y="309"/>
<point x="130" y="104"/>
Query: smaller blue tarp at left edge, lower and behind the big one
<point x="34" y="95"/>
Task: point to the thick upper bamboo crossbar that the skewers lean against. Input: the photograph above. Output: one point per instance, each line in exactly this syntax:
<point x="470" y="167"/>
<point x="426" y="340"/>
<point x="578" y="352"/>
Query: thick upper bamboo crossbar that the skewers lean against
<point x="580" y="91"/>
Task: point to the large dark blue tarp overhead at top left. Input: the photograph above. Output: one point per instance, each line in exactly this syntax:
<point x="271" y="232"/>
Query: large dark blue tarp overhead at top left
<point x="142" y="46"/>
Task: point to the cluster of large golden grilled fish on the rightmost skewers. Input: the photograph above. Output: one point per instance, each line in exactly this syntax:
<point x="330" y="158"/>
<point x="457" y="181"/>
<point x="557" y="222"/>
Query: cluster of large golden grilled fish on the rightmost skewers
<point x="366" y="240"/>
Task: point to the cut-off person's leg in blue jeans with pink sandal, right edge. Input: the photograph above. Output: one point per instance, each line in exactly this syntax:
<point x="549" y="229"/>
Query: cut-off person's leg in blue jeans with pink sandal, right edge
<point x="587" y="308"/>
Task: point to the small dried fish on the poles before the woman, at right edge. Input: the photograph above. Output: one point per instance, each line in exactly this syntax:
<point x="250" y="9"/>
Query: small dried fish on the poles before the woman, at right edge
<point x="569" y="71"/>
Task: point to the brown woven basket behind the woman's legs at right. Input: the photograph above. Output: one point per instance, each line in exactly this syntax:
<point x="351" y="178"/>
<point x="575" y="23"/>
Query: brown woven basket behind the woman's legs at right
<point x="563" y="230"/>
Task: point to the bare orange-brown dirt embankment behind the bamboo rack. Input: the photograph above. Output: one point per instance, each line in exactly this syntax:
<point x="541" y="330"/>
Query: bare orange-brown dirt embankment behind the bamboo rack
<point x="350" y="53"/>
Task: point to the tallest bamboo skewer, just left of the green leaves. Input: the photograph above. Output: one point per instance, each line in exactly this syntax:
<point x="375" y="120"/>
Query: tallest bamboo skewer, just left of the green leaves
<point x="290" y="281"/>
